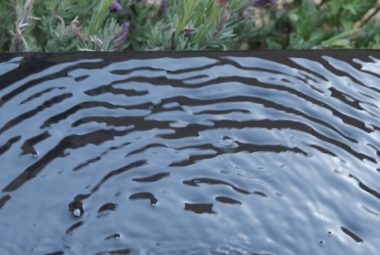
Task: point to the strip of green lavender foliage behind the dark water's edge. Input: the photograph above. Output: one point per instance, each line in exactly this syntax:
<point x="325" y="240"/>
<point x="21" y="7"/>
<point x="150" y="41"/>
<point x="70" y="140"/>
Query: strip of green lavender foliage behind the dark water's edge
<point x="71" y="25"/>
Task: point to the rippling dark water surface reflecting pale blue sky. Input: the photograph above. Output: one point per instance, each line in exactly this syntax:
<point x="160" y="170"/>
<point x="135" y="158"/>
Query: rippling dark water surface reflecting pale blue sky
<point x="190" y="153"/>
